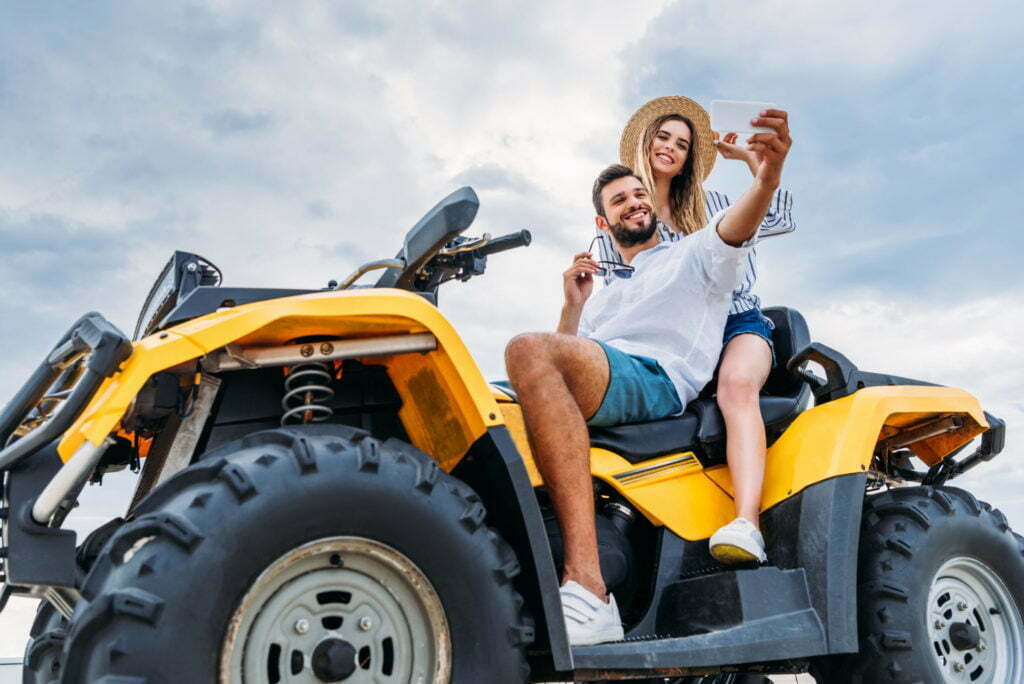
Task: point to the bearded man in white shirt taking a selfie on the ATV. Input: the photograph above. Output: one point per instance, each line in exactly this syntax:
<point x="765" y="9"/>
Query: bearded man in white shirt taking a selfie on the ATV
<point x="641" y="350"/>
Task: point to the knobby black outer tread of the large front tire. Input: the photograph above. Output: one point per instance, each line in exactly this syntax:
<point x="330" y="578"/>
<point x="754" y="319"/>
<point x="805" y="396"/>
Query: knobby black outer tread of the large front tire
<point x="175" y="523"/>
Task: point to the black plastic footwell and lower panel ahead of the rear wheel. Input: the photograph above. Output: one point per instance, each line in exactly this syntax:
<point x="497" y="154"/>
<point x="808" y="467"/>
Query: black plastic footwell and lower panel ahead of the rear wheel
<point x="803" y="607"/>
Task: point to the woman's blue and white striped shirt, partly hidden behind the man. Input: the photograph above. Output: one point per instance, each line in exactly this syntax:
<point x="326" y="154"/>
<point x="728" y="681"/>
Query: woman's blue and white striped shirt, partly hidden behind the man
<point x="778" y="222"/>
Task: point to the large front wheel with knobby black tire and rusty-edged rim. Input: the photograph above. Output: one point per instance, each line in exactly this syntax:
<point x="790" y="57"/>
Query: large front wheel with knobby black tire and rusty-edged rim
<point x="304" y="554"/>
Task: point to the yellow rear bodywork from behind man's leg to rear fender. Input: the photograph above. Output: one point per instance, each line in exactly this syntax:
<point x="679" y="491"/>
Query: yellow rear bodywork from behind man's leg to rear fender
<point x="836" y="439"/>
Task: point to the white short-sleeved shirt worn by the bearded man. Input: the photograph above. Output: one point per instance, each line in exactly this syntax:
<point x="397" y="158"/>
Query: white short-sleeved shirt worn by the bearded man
<point x="673" y="310"/>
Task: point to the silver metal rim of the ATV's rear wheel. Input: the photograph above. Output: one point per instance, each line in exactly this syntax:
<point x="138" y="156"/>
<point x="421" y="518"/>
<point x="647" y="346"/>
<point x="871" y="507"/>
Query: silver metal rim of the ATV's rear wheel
<point x="967" y="592"/>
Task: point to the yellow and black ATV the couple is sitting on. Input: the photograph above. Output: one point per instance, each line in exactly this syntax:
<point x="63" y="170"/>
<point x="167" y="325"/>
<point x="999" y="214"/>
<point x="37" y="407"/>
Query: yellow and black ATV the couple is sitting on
<point x="330" y="492"/>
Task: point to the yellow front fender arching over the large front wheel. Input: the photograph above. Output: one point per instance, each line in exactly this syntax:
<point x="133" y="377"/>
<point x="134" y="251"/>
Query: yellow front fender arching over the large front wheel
<point x="467" y="410"/>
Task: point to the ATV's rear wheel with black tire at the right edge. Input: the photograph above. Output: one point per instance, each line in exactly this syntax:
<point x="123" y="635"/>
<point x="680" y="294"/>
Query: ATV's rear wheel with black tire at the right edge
<point x="941" y="593"/>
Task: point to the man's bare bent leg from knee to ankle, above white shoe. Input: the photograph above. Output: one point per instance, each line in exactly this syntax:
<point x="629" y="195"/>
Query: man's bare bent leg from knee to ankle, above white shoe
<point x="561" y="381"/>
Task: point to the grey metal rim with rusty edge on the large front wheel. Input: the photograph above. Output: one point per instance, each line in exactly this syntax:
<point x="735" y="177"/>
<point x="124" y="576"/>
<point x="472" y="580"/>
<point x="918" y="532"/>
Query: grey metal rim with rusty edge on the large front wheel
<point x="344" y="609"/>
